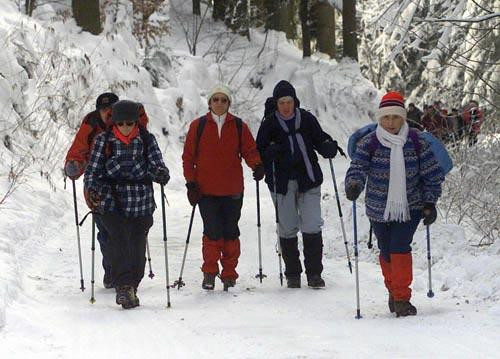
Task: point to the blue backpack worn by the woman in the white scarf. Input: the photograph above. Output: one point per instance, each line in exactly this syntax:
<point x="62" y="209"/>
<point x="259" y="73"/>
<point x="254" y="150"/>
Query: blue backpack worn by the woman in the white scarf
<point x="437" y="147"/>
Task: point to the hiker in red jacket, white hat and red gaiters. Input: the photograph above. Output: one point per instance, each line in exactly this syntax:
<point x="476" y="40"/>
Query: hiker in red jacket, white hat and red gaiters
<point x="214" y="147"/>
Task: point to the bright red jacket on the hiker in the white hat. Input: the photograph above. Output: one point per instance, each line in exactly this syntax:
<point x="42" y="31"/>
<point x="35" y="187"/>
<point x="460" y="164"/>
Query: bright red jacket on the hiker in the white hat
<point x="217" y="168"/>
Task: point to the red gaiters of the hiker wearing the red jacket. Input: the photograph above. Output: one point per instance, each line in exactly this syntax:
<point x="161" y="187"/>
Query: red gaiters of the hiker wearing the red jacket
<point x="227" y="251"/>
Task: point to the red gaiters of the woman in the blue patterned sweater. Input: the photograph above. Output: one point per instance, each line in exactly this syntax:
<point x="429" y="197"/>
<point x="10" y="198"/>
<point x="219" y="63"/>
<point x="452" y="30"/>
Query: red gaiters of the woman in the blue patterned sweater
<point x="398" y="275"/>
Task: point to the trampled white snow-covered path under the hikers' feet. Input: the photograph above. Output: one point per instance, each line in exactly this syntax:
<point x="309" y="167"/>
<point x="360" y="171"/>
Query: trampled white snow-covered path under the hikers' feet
<point x="52" y="319"/>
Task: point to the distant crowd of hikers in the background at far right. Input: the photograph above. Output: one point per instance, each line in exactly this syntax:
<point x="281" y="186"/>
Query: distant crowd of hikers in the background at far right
<point x="450" y="126"/>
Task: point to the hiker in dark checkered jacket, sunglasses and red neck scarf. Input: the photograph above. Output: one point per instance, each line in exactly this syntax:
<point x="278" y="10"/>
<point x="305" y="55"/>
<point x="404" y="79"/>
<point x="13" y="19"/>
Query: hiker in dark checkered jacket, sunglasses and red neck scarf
<point x="123" y="164"/>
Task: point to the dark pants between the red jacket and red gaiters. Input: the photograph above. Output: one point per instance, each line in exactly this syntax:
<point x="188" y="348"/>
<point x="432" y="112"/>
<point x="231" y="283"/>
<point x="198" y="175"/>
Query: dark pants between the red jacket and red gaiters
<point x="220" y="216"/>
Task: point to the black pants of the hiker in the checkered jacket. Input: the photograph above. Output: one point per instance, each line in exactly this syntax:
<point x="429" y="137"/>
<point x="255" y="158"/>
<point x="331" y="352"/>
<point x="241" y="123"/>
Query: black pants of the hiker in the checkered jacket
<point x="127" y="246"/>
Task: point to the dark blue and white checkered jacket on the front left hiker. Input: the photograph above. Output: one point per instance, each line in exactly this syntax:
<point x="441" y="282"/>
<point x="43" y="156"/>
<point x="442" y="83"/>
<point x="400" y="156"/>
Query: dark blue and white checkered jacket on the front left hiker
<point x="122" y="174"/>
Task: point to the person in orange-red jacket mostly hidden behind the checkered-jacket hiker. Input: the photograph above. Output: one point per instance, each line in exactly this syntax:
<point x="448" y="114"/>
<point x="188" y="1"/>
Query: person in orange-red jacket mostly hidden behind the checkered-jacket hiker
<point x="78" y="156"/>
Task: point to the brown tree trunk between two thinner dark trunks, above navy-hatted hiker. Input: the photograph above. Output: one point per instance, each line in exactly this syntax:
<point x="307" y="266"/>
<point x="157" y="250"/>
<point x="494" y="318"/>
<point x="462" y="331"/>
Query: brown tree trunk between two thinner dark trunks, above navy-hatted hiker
<point x="324" y="18"/>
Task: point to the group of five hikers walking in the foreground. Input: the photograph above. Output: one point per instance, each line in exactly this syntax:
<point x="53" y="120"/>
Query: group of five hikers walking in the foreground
<point x="120" y="159"/>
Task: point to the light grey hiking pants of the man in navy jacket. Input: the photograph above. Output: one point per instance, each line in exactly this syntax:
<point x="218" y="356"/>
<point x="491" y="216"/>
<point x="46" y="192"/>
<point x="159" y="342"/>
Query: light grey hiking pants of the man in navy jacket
<point x="299" y="211"/>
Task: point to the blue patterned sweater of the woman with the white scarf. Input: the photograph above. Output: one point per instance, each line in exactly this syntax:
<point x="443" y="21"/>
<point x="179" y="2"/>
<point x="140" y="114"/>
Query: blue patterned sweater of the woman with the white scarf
<point x="371" y="164"/>
